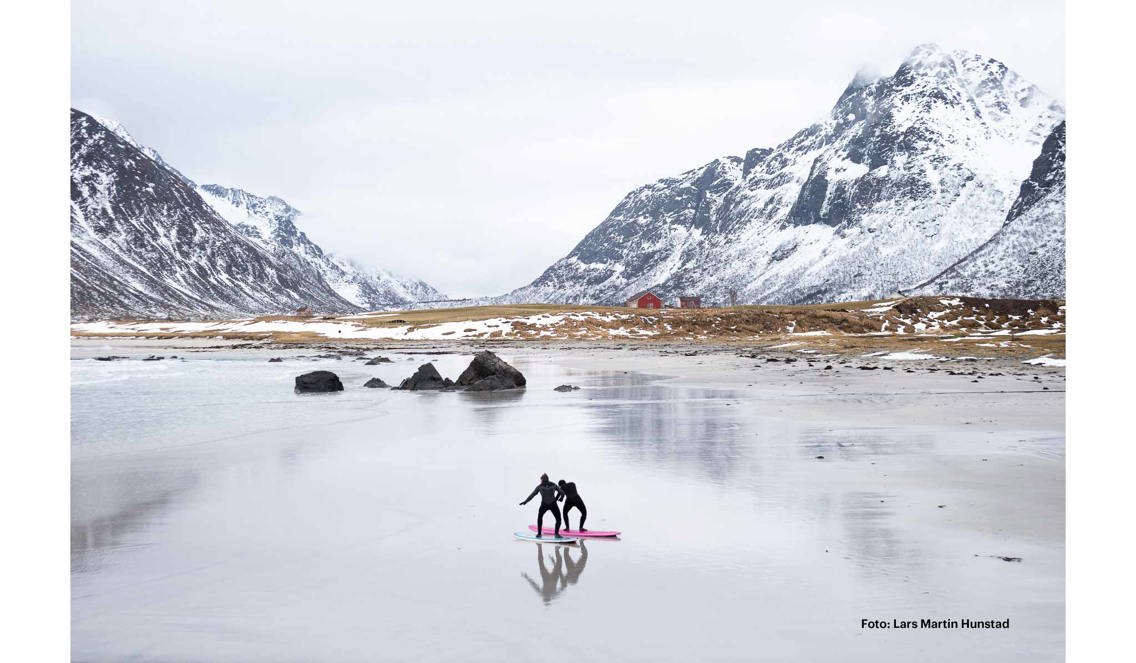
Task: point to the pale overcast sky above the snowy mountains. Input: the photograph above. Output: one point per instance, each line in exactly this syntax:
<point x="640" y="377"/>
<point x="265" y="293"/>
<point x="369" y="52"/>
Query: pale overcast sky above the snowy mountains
<point x="473" y="145"/>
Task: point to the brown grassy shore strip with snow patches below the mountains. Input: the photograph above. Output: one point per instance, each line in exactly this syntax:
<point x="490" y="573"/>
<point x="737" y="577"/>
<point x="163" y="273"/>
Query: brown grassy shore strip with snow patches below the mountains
<point x="906" y="329"/>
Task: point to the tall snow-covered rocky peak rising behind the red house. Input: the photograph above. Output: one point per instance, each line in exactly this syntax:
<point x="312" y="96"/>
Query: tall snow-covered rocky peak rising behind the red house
<point x="906" y="177"/>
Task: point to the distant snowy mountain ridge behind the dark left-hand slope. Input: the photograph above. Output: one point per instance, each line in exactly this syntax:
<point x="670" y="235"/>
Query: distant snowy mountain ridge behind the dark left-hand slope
<point x="271" y="223"/>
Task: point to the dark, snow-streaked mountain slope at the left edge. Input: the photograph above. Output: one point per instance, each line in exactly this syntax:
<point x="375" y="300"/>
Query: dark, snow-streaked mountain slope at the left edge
<point x="145" y="244"/>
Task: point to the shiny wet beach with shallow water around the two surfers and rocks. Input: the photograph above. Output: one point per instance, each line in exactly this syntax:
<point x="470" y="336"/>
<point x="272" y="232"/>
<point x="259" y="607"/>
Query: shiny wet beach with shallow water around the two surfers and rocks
<point x="218" y="516"/>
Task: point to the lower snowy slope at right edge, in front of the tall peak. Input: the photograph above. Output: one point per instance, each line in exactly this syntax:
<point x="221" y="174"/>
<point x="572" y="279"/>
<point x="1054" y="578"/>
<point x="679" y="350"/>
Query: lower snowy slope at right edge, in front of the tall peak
<point x="1026" y="257"/>
